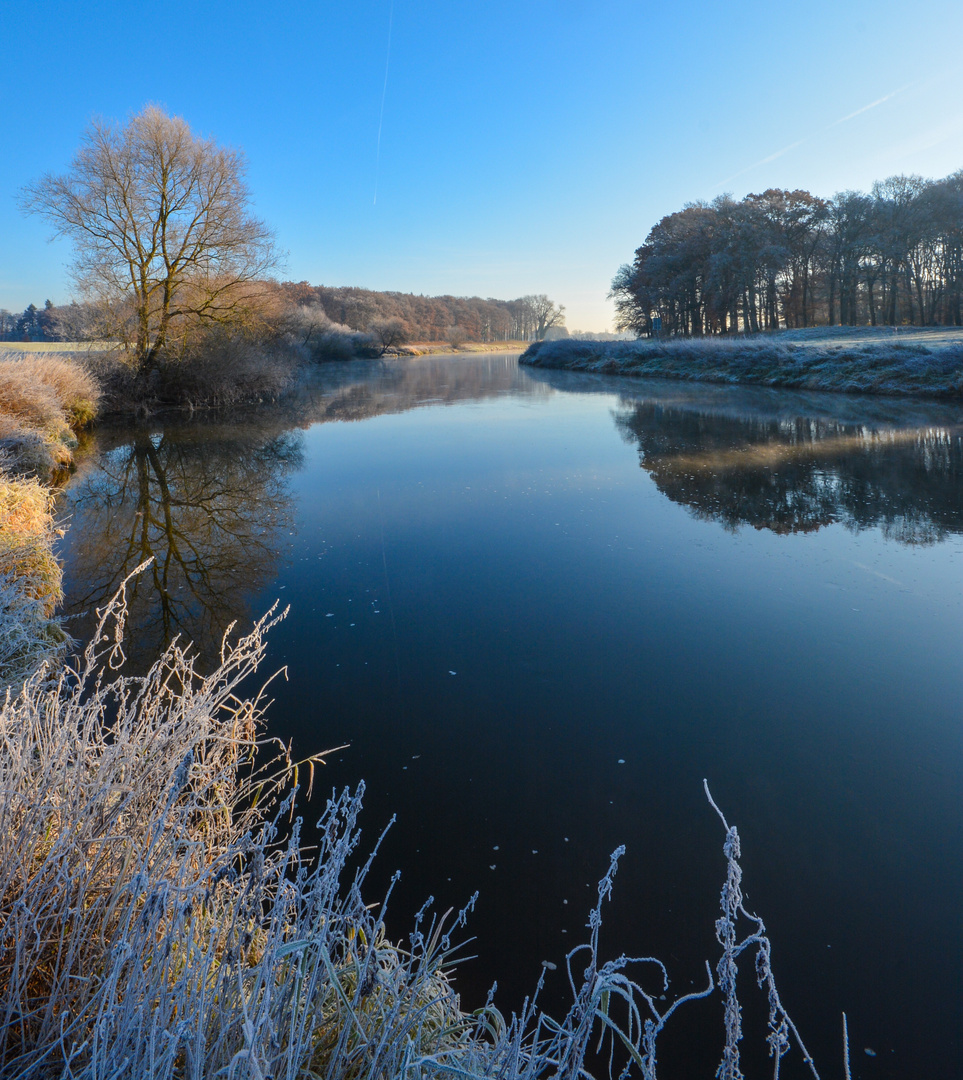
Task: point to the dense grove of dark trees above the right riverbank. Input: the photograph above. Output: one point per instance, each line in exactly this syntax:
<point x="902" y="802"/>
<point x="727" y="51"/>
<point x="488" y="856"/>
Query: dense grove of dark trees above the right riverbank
<point x="792" y="260"/>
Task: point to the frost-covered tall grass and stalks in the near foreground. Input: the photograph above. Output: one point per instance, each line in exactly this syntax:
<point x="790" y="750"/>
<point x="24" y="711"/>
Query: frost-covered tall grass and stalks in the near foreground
<point x="160" y="919"/>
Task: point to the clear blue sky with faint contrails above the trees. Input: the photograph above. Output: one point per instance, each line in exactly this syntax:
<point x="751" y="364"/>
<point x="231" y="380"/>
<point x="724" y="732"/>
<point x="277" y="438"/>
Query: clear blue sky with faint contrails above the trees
<point x="525" y="147"/>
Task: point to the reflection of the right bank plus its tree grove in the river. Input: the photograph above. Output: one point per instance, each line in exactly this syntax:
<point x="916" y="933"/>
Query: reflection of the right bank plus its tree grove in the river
<point x="793" y="462"/>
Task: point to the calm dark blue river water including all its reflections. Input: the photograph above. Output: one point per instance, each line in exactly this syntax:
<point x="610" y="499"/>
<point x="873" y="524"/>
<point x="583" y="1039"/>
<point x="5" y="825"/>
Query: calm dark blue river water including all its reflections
<point x="542" y="607"/>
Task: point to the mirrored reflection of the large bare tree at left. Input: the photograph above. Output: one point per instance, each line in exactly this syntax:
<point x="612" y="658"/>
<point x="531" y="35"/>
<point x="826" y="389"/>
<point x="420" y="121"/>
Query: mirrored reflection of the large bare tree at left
<point x="208" y="503"/>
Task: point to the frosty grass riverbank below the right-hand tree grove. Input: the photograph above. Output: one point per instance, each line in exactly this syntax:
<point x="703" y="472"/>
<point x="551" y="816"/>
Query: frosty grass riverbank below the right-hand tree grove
<point x="911" y="362"/>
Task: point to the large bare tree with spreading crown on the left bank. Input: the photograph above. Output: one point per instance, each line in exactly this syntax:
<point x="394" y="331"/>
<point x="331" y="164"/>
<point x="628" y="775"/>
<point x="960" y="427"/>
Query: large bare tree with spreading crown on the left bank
<point x="161" y="226"/>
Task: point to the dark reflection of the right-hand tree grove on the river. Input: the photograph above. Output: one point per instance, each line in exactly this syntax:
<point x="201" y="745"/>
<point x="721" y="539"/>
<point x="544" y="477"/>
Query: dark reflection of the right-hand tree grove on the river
<point x="798" y="475"/>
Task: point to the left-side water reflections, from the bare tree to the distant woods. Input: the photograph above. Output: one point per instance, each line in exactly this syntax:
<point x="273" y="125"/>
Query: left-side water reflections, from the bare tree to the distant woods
<point x="208" y="499"/>
